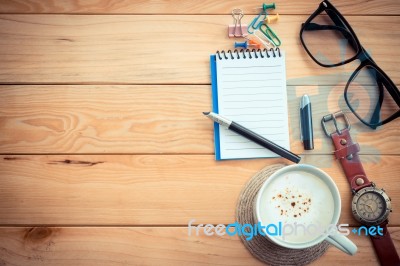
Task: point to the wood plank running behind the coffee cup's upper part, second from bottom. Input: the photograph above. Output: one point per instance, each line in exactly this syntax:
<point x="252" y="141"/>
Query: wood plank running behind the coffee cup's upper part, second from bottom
<point x="151" y="189"/>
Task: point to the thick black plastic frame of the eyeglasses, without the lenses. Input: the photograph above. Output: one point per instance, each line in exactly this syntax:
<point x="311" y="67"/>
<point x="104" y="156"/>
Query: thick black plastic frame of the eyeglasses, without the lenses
<point x="361" y="54"/>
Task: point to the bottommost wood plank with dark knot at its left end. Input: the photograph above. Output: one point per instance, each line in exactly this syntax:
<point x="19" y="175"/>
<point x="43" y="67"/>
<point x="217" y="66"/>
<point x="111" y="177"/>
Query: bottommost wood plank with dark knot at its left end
<point x="147" y="246"/>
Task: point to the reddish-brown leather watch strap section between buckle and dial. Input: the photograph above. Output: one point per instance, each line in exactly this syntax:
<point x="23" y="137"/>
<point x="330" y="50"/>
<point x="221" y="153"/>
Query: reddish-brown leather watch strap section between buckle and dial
<point x="347" y="153"/>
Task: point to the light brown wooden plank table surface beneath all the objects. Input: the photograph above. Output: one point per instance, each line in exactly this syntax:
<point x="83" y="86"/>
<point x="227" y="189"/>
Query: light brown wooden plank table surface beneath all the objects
<point x="105" y="155"/>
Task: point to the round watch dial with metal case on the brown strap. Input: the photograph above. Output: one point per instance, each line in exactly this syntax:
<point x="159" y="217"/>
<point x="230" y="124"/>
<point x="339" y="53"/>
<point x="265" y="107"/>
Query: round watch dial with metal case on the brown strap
<point x="371" y="206"/>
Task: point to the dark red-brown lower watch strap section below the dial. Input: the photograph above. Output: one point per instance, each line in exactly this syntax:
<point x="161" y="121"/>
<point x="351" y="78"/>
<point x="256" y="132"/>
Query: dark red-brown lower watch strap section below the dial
<point x="385" y="248"/>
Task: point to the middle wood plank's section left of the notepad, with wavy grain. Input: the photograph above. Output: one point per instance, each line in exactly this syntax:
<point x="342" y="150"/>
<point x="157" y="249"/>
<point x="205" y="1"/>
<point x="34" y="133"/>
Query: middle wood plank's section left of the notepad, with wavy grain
<point x="105" y="119"/>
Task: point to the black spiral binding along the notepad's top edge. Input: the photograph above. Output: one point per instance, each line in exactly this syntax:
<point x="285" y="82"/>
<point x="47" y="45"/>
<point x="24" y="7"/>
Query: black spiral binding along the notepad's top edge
<point x="247" y="53"/>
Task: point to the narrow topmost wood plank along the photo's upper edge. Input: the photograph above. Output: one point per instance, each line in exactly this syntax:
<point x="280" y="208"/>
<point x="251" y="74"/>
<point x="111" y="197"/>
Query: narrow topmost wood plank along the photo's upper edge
<point x="359" y="7"/>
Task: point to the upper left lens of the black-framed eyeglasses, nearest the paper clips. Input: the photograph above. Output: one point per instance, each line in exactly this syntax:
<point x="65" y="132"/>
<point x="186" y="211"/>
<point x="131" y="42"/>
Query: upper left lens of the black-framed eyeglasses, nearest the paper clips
<point x="329" y="42"/>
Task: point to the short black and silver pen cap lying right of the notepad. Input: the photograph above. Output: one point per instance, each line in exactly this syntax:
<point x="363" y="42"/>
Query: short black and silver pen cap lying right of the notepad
<point x="306" y="129"/>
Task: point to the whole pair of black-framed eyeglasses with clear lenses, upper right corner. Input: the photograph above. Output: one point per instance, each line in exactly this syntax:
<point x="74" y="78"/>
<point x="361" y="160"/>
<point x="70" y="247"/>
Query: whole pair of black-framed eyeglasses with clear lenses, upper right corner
<point x="330" y="41"/>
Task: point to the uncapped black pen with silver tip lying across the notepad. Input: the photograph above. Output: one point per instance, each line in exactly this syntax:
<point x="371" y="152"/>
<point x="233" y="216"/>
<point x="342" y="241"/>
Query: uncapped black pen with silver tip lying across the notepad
<point x="260" y="140"/>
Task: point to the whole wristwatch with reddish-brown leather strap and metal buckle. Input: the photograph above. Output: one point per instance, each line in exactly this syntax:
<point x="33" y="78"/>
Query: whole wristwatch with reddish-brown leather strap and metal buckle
<point x="370" y="205"/>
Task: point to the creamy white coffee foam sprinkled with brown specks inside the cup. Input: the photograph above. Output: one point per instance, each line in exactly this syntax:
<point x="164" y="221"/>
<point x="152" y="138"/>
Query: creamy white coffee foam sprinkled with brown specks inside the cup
<point x="297" y="198"/>
